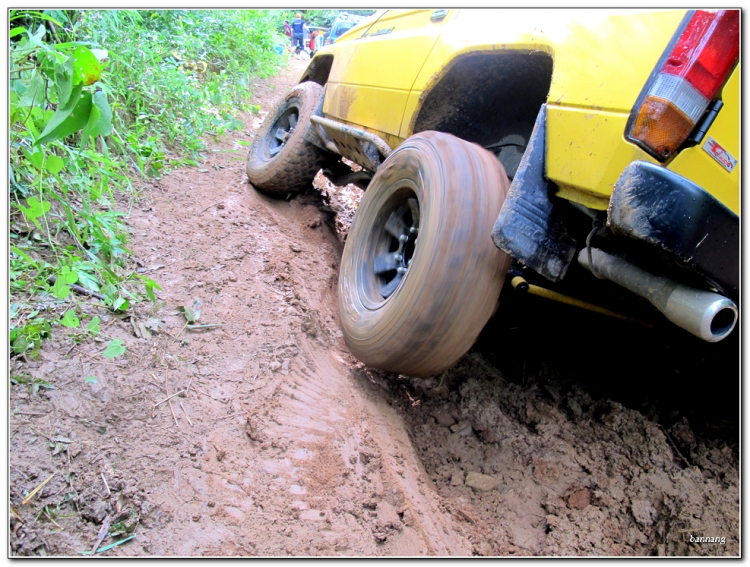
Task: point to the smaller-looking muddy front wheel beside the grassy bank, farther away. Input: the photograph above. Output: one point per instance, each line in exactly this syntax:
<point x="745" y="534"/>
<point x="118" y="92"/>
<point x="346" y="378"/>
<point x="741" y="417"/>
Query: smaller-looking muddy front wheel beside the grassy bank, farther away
<point x="282" y="160"/>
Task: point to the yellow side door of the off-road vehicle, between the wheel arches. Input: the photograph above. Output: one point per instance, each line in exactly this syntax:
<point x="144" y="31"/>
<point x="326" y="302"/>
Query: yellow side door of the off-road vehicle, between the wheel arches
<point x="375" y="66"/>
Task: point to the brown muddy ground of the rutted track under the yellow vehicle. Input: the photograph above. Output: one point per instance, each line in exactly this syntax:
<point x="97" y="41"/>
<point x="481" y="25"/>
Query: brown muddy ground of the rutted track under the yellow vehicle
<point x="557" y="434"/>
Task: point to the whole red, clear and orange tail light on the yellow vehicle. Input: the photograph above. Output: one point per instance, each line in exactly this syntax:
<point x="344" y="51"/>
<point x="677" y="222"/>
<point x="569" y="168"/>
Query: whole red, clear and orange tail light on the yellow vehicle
<point x="689" y="78"/>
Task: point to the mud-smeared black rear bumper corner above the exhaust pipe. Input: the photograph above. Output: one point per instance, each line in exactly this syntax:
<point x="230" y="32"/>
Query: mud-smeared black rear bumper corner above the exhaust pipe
<point x="689" y="225"/>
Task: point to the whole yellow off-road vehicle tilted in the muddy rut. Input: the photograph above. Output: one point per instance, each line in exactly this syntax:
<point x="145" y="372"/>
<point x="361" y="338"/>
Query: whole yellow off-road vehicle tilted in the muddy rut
<point x="562" y="145"/>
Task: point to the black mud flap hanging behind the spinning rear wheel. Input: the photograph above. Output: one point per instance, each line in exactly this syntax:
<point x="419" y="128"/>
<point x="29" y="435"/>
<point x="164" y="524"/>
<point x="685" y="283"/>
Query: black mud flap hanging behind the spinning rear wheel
<point x="530" y="227"/>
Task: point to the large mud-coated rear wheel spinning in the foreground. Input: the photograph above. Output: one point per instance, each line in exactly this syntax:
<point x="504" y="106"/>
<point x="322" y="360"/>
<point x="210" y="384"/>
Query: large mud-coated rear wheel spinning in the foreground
<point x="420" y="276"/>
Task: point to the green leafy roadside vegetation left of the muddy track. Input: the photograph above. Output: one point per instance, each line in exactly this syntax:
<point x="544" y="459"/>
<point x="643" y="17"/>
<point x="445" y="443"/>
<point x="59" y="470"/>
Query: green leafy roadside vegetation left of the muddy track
<point x="101" y="102"/>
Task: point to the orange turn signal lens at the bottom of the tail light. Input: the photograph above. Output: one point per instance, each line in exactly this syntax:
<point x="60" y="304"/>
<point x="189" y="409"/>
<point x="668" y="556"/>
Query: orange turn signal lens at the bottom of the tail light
<point x="661" y="126"/>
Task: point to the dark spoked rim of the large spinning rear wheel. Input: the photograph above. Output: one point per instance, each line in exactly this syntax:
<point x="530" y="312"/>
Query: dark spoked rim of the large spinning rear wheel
<point x="395" y="239"/>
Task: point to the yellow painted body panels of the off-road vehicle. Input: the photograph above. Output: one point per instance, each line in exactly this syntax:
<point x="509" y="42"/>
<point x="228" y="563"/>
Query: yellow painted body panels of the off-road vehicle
<point x="383" y="69"/>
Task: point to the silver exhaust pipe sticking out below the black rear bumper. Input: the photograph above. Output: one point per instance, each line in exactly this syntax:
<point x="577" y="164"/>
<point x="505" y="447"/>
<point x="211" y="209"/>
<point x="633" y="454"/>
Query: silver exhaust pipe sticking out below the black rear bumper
<point x="706" y="315"/>
